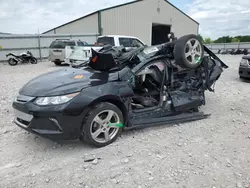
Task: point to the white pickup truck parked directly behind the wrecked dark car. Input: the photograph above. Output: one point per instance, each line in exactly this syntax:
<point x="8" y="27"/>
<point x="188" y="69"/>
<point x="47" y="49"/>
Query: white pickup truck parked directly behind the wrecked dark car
<point x="82" y="53"/>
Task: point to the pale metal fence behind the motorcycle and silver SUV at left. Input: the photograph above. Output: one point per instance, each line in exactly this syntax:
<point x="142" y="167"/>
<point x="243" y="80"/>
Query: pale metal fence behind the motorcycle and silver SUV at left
<point x="20" y="43"/>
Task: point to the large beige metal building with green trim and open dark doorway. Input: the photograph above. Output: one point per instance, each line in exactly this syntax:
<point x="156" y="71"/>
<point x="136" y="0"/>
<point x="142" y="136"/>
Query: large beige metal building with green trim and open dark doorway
<point x="149" y="20"/>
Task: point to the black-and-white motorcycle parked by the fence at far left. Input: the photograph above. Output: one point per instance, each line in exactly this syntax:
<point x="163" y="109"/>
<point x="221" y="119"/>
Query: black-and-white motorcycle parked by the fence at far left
<point x="25" y="57"/>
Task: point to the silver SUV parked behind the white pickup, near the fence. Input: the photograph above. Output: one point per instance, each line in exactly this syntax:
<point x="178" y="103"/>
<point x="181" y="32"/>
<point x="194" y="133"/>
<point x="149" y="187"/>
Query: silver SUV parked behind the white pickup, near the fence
<point x="57" y="49"/>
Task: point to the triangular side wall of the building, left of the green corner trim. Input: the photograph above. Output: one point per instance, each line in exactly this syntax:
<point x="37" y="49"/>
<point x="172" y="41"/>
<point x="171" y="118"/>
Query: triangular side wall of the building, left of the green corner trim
<point x="85" y="25"/>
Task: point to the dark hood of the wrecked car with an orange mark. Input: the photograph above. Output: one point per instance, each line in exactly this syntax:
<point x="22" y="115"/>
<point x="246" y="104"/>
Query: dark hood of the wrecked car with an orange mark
<point x="65" y="81"/>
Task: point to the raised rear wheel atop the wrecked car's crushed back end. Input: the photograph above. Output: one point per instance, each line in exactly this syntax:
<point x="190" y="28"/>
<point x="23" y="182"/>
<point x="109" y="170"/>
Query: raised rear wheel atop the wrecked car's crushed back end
<point x="188" y="51"/>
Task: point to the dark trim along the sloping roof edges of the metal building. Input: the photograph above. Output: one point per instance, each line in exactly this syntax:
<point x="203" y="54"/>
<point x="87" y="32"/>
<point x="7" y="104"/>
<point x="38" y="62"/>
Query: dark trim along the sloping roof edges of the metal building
<point x="116" y="6"/>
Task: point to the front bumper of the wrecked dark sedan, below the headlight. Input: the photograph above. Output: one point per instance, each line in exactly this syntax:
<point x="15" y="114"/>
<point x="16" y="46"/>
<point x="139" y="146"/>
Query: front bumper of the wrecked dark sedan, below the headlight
<point x="54" y="122"/>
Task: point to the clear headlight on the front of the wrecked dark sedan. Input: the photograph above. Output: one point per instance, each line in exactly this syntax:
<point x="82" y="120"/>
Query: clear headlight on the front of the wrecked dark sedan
<point x="43" y="101"/>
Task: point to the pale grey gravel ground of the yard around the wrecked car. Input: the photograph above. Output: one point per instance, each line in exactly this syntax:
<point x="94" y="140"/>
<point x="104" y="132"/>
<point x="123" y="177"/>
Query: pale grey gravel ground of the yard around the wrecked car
<point x="207" y="153"/>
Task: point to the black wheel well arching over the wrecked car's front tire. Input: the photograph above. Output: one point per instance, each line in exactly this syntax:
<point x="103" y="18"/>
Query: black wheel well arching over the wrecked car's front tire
<point x="117" y="103"/>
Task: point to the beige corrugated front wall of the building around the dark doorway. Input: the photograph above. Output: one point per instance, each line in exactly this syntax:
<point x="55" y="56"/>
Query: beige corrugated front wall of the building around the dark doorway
<point x="136" y="19"/>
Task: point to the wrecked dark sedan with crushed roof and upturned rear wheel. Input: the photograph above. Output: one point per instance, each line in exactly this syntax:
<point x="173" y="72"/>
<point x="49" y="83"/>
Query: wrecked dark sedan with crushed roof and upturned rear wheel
<point x="117" y="90"/>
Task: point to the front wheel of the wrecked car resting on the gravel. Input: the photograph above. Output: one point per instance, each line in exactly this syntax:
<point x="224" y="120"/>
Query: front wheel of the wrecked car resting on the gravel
<point x="89" y="124"/>
